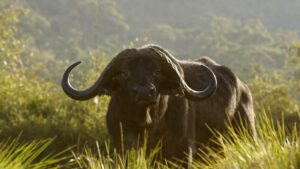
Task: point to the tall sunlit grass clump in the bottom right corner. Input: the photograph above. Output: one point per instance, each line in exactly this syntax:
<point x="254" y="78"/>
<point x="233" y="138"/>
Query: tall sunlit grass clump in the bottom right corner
<point x="273" y="147"/>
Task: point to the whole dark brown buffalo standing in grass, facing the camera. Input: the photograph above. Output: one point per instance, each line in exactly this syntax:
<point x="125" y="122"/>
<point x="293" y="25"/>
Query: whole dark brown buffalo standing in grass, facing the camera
<point x="173" y="101"/>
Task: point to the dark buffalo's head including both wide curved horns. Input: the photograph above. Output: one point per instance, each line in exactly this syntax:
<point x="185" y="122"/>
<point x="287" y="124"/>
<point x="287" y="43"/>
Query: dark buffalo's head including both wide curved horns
<point x="139" y="76"/>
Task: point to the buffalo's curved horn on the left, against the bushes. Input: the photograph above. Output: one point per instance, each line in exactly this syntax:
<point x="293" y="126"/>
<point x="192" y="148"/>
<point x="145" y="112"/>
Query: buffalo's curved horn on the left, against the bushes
<point x="98" y="87"/>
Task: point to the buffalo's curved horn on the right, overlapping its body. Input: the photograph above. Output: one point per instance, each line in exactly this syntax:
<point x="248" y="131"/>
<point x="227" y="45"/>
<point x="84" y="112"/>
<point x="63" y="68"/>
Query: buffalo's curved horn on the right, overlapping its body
<point x="189" y="92"/>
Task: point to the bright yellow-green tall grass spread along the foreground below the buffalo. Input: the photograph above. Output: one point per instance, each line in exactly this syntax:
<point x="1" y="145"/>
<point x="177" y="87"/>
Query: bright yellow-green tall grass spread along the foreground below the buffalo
<point x="274" y="147"/>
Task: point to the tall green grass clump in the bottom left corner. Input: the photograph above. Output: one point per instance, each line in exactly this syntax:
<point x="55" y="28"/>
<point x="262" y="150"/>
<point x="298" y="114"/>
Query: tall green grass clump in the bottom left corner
<point x="15" y="155"/>
